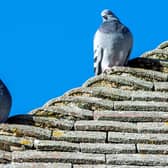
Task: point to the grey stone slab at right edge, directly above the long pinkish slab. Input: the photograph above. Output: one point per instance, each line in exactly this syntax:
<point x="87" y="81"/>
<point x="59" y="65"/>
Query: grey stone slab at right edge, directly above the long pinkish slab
<point x="140" y="106"/>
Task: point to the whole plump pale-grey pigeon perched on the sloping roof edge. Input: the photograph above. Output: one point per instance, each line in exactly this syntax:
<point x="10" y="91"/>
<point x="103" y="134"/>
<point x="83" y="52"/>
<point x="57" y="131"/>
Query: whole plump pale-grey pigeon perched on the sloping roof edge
<point x="112" y="43"/>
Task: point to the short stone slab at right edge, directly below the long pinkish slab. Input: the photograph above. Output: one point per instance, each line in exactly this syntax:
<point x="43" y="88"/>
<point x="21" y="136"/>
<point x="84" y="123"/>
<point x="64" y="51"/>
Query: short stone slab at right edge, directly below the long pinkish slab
<point x="153" y="127"/>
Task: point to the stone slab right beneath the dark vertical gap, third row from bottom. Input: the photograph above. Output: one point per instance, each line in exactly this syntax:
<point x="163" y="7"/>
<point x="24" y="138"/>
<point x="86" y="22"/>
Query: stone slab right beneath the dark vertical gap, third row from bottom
<point x="107" y="148"/>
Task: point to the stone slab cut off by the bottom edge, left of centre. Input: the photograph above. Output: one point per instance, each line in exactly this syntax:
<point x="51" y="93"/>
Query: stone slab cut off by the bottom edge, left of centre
<point x="41" y="165"/>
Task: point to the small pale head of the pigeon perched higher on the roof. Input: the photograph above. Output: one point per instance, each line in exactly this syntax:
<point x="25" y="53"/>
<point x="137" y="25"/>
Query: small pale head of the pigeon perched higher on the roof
<point x="108" y="15"/>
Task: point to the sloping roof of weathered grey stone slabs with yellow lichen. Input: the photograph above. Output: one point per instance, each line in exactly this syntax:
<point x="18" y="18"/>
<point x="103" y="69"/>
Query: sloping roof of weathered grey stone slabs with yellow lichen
<point x="118" y="119"/>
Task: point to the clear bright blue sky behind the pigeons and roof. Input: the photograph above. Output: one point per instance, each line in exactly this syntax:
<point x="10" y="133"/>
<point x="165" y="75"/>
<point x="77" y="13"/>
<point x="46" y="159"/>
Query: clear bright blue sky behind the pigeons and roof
<point x="46" y="46"/>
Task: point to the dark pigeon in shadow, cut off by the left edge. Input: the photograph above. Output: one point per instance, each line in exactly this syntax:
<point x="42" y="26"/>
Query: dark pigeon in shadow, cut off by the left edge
<point x="5" y="102"/>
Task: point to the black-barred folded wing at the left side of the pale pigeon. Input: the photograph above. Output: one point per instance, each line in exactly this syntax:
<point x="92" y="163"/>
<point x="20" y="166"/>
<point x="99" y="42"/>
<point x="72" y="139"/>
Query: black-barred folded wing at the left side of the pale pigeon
<point x="98" y="56"/>
